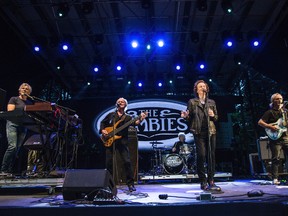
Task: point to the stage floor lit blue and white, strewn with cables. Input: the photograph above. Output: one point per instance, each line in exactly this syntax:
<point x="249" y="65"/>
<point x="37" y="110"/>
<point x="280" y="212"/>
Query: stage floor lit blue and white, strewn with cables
<point x="153" y="197"/>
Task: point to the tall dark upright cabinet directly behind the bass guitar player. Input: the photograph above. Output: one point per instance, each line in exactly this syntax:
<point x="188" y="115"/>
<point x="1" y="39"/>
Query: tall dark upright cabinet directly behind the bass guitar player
<point x="120" y="178"/>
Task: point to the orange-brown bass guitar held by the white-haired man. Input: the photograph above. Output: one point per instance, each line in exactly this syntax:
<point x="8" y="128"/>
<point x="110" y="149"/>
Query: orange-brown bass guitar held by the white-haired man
<point x="112" y="131"/>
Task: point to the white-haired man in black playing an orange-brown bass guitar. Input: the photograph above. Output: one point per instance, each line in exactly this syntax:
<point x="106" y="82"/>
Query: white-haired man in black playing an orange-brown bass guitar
<point x="120" y="140"/>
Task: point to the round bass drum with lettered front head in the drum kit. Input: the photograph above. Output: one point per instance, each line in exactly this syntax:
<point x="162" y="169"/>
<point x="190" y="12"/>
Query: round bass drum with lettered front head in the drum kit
<point x="173" y="164"/>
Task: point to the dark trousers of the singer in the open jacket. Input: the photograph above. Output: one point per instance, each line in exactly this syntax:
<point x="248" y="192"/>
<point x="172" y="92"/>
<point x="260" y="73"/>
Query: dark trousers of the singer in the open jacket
<point x="205" y="153"/>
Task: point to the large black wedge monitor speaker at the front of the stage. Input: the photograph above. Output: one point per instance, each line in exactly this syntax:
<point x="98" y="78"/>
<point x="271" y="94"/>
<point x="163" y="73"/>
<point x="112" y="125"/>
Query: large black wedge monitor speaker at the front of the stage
<point x="86" y="183"/>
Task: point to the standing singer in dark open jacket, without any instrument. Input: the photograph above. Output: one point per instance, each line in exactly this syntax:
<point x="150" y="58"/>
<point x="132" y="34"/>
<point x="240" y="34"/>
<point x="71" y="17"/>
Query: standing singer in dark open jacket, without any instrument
<point x="201" y="115"/>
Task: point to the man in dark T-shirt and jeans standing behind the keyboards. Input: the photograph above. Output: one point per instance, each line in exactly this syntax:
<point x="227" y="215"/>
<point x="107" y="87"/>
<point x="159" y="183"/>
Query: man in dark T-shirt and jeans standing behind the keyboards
<point x="15" y="133"/>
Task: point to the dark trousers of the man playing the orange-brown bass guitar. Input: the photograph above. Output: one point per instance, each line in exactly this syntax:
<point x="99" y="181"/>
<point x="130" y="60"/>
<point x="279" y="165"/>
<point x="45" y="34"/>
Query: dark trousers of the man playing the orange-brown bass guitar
<point x="123" y="151"/>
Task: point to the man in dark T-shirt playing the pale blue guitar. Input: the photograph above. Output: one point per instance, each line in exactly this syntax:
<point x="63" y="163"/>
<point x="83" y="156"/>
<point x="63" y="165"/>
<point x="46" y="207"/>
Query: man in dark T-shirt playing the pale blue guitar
<point x="276" y="113"/>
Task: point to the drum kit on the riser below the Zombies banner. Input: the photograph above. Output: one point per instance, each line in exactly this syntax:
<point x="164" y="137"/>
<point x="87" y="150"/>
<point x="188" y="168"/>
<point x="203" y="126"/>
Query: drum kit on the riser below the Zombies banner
<point x="165" y="162"/>
